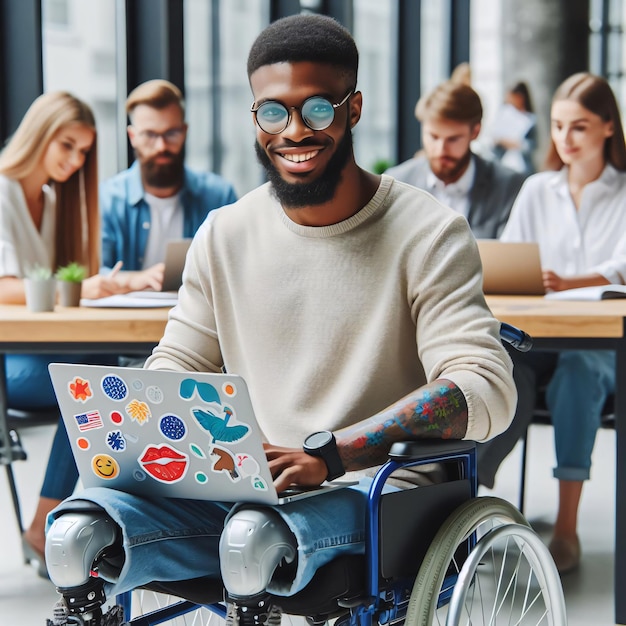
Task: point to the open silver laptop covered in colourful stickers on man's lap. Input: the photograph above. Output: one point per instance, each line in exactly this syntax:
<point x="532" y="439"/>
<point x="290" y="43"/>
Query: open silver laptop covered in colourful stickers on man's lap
<point x="164" y="433"/>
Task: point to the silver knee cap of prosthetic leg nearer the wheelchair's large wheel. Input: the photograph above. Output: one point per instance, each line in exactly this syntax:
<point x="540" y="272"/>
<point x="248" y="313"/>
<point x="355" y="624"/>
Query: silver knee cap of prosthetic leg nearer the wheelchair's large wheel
<point x="253" y="543"/>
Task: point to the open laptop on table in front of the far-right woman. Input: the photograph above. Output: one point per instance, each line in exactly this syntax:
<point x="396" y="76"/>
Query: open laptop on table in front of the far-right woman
<point x="511" y="268"/>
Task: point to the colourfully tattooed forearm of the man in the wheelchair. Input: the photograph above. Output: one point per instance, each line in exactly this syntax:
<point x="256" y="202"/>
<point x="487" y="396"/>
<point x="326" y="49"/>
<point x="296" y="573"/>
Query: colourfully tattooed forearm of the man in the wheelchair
<point x="436" y="411"/>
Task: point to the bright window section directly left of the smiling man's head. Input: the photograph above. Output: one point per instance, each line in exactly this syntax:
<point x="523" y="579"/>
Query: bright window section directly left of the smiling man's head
<point x="218" y="36"/>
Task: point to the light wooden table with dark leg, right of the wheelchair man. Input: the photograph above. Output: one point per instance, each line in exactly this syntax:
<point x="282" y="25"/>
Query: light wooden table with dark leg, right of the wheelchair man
<point x="560" y="325"/>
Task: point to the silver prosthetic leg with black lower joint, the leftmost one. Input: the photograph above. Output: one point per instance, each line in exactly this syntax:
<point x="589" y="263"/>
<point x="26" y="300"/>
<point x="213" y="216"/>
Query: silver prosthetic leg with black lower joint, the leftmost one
<point x="81" y="546"/>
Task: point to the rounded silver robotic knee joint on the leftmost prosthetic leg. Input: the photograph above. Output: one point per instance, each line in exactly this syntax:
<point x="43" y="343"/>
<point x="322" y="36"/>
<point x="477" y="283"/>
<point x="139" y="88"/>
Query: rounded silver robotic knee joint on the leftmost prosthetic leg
<point x="74" y="544"/>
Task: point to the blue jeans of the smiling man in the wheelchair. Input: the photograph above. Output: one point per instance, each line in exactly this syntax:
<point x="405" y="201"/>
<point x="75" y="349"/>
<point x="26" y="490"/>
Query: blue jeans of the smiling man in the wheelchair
<point x="174" y="539"/>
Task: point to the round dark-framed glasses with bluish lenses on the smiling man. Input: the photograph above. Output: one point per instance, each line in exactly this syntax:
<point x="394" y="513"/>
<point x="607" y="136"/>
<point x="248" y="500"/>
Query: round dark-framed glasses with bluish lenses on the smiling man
<point x="317" y="112"/>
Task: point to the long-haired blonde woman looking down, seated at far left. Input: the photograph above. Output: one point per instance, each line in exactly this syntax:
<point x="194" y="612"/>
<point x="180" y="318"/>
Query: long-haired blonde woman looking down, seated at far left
<point x="49" y="217"/>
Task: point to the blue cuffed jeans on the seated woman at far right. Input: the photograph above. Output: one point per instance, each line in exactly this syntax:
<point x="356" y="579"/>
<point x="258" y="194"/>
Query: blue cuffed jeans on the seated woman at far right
<point x="575" y="396"/>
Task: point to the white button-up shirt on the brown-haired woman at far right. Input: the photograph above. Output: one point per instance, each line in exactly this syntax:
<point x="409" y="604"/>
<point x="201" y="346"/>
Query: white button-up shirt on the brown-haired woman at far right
<point x="572" y="242"/>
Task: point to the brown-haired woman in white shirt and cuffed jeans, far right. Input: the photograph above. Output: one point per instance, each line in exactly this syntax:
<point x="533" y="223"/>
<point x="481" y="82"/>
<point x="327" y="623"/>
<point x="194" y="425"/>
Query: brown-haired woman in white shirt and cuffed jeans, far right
<point x="576" y="211"/>
